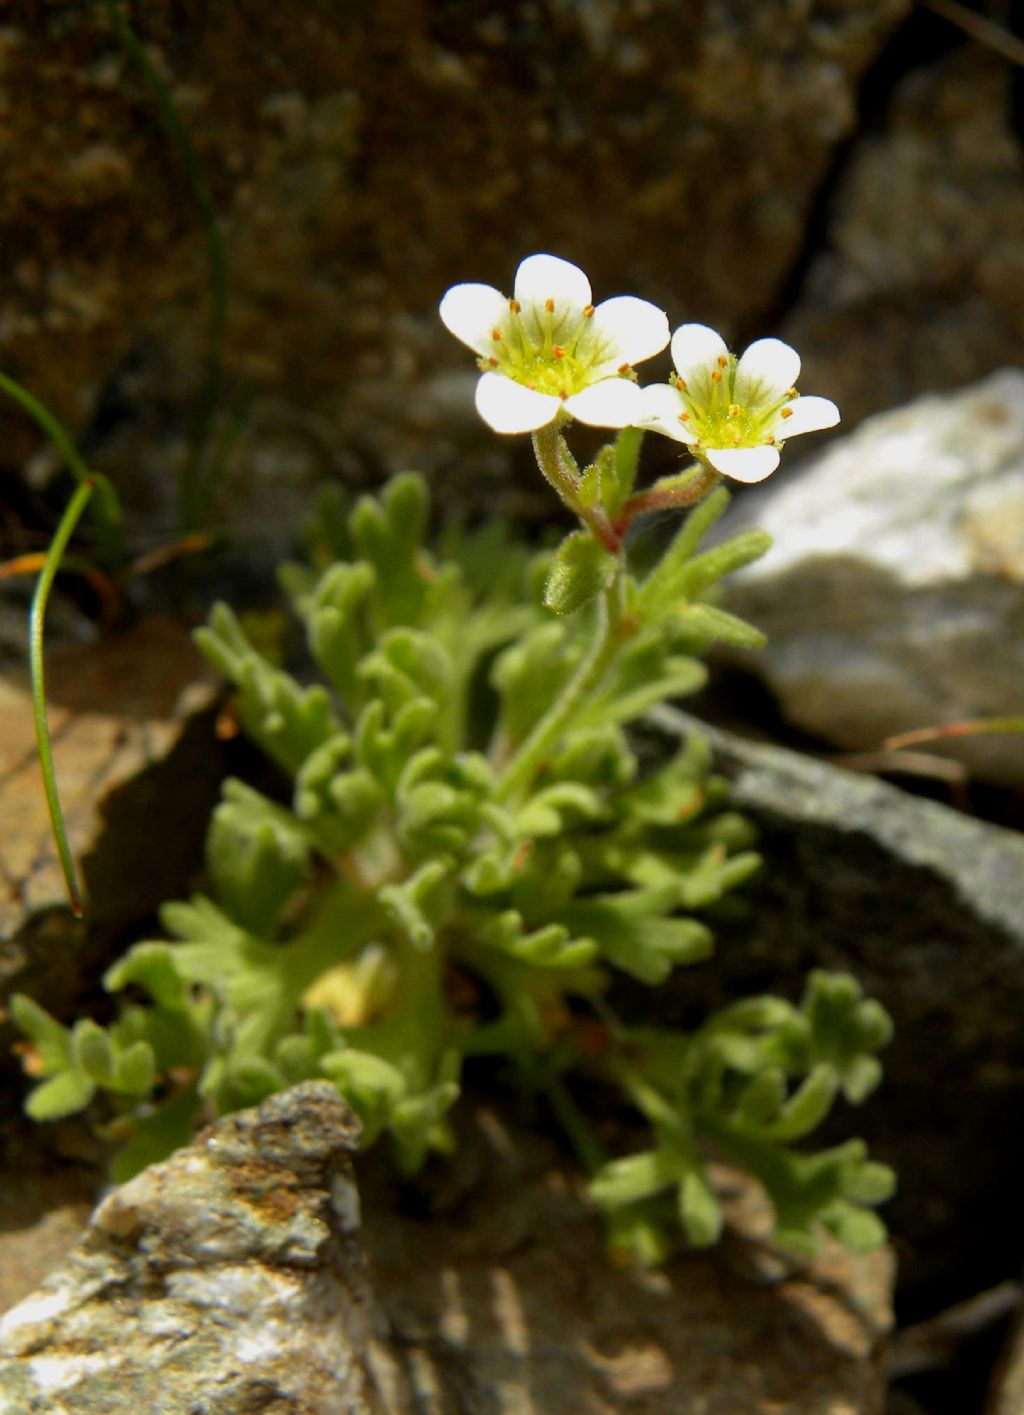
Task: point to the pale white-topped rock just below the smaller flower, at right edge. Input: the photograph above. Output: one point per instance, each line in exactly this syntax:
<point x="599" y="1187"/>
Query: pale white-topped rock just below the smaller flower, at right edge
<point x="893" y="596"/>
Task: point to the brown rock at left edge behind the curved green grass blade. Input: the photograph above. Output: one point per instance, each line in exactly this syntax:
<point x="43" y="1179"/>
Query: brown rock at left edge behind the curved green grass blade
<point x="138" y="768"/>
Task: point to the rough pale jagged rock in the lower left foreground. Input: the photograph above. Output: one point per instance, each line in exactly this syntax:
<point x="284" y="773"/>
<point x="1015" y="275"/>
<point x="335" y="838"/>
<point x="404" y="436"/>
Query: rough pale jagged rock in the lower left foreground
<point x="228" y="1281"/>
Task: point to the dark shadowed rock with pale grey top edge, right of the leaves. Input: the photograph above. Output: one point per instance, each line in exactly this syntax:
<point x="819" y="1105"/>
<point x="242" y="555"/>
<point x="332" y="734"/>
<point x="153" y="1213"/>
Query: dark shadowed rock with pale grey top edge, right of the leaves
<point x="927" y="909"/>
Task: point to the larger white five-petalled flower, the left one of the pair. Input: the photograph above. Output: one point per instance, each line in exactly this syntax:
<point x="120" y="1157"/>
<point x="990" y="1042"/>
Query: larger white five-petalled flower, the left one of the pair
<point x="549" y="352"/>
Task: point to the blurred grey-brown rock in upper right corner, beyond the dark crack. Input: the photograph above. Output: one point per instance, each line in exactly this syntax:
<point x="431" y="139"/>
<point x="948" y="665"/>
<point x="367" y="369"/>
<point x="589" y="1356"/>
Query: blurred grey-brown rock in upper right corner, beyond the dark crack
<point x="919" y="282"/>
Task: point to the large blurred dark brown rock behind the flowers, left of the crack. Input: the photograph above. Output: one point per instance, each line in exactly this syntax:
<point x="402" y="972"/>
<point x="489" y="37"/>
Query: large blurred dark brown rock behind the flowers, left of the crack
<point x="361" y="163"/>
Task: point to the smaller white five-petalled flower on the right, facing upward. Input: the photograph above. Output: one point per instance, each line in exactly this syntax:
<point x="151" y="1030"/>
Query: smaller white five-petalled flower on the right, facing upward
<point x="735" y="414"/>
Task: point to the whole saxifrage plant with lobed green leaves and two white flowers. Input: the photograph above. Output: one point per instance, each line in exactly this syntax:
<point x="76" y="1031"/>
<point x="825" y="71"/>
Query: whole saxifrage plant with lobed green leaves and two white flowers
<point x="473" y="851"/>
